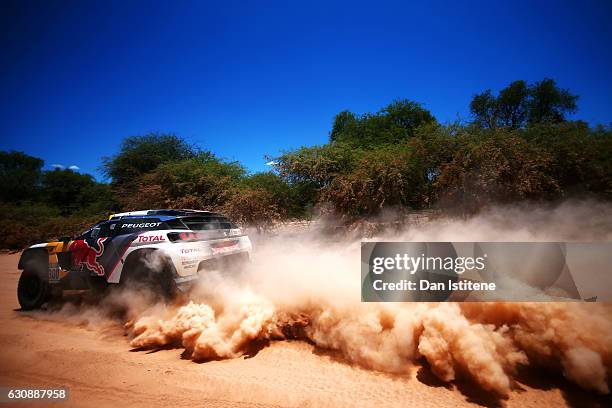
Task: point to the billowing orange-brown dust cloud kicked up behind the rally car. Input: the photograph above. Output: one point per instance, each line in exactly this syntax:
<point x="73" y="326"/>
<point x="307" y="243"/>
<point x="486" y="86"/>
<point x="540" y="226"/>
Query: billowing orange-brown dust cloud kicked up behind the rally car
<point x="306" y="285"/>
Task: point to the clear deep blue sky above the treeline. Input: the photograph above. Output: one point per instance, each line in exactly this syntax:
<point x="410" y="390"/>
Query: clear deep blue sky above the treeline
<point x="245" y="79"/>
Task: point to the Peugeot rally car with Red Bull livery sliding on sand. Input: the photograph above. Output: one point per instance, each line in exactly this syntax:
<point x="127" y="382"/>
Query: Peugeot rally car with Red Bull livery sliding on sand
<point x="165" y="249"/>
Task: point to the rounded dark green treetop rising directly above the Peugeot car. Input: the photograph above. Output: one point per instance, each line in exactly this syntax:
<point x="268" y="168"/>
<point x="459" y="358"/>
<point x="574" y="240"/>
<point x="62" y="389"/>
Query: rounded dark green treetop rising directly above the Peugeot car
<point x="141" y="154"/>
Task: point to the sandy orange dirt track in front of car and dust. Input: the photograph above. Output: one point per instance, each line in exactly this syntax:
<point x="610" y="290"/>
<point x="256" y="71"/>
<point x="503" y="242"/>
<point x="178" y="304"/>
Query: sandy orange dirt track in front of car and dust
<point x="101" y="370"/>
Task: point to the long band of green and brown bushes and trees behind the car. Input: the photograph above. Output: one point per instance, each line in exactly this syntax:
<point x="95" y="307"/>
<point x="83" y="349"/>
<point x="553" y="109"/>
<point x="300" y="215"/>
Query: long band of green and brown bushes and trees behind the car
<point x="519" y="147"/>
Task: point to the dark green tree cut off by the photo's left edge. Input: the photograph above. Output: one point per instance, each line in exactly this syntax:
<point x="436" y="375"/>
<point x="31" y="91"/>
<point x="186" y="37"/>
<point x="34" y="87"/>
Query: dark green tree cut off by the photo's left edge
<point x="20" y="176"/>
